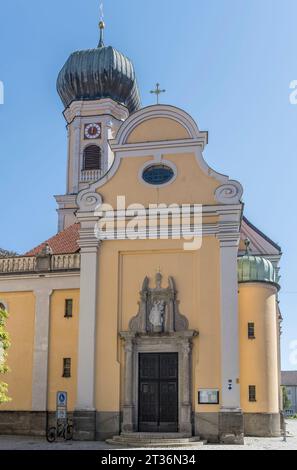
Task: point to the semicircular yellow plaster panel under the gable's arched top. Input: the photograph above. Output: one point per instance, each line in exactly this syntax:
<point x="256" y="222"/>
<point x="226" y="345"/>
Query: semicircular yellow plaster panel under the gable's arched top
<point x="156" y="130"/>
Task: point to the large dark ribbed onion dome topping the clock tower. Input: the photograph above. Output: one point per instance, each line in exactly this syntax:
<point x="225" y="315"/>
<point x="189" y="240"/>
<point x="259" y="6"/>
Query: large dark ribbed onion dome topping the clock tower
<point x="99" y="73"/>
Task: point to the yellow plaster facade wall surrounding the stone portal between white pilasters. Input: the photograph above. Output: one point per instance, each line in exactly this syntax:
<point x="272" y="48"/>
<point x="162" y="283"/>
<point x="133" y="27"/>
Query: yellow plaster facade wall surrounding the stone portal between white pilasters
<point x="124" y="266"/>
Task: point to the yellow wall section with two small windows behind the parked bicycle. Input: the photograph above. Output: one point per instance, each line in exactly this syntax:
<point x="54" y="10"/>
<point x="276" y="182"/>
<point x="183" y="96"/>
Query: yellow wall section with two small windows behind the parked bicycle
<point x="63" y="344"/>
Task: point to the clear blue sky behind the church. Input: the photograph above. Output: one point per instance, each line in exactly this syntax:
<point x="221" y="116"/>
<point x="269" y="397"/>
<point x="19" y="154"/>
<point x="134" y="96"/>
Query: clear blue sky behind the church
<point x="228" y="63"/>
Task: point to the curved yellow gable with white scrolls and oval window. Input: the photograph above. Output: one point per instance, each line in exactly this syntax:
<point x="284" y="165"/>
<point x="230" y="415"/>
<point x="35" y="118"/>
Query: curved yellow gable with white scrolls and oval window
<point x="161" y="134"/>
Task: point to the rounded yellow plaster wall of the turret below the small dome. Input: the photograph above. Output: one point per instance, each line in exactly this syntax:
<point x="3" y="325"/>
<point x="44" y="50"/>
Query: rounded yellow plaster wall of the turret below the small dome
<point x="259" y="357"/>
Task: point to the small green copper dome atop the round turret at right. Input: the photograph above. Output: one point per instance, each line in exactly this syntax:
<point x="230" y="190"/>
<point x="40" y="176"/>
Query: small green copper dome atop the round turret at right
<point x="256" y="268"/>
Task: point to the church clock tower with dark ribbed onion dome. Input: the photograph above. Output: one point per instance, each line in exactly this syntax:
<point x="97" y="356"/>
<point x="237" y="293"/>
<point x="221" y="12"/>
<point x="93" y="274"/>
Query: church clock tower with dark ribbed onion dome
<point x="99" y="90"/>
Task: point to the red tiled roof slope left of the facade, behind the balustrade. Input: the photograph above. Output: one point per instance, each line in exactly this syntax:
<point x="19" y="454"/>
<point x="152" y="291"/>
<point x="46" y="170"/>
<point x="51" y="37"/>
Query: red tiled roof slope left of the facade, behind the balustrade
<point x="62" y="243"/>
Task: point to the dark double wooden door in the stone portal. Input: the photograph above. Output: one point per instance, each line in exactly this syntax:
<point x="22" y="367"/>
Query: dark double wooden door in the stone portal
<point x="158" y="392"/>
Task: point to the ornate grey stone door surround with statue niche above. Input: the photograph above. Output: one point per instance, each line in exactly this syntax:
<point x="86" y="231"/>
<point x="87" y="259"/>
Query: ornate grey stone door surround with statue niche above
<point x="158" y="327"/>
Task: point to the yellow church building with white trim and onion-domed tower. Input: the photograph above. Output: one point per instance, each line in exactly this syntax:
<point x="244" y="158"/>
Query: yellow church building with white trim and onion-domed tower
<point x="150" y="328"/>
